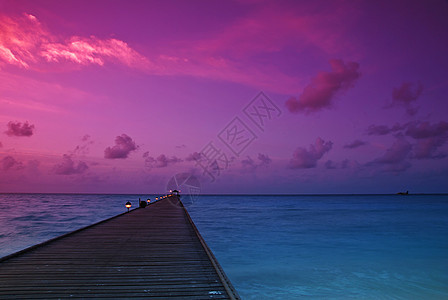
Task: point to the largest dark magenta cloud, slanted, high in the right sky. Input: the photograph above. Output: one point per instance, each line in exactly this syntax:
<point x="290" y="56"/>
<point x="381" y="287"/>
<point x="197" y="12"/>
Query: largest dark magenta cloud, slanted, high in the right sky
<point x="322" y="89"/>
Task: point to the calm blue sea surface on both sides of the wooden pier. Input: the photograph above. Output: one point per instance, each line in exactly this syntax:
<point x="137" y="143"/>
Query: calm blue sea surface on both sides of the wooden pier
<point x="281" y="247"/>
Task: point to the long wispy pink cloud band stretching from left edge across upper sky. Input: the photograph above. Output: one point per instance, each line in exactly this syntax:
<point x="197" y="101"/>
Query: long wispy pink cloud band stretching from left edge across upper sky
<point x="27" y="43"/>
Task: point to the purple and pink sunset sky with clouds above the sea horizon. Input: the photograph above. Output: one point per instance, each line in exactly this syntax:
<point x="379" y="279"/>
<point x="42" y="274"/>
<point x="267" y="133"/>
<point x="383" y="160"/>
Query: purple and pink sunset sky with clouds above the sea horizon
<point x="245" y="96"/>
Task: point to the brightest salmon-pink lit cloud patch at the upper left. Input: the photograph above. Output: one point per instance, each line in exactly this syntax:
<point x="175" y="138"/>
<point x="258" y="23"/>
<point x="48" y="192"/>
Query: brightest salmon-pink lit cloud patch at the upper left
<point x="24" y="42"/>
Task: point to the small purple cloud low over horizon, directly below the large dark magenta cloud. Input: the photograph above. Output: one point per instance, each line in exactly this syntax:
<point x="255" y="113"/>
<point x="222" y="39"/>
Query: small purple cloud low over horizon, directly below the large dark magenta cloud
<point x="303" y="159"/>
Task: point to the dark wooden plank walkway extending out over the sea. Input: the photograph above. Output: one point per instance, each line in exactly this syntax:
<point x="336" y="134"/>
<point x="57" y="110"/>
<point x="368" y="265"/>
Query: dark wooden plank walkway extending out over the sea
<point x="154" y="252"/>
